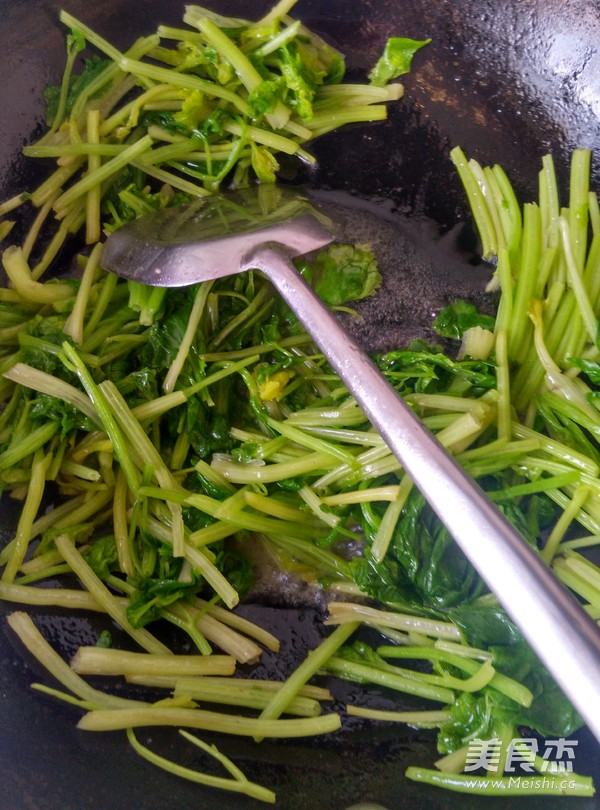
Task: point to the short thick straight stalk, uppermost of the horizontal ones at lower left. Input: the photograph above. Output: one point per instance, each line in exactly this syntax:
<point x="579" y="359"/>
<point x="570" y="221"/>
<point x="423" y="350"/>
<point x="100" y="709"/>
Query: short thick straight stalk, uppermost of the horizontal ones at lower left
<point x="110" y="661"/>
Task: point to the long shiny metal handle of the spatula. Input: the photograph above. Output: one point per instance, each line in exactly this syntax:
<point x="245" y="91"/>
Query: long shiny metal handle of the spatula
<point x="558" y="629"/>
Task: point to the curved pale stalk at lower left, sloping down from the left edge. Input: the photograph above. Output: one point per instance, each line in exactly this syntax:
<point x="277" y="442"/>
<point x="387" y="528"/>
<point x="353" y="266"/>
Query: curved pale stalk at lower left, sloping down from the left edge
<point x="37" y="645"/>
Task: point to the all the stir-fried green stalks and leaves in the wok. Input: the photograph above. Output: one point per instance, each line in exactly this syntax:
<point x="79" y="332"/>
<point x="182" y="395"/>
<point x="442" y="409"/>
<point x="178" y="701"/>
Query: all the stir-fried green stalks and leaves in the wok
<point x="176" y="429"/>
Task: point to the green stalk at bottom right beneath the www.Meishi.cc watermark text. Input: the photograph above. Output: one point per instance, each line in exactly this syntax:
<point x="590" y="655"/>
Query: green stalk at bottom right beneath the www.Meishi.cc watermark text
<point x="534" y="785"/>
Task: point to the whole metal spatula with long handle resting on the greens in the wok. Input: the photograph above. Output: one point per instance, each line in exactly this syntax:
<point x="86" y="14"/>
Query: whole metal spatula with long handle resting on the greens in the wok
<point x="264" y="228"/>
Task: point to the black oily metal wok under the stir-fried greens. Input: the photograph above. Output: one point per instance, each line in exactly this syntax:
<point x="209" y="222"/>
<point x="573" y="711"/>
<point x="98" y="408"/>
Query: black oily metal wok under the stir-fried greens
<point x="508" y="82"/>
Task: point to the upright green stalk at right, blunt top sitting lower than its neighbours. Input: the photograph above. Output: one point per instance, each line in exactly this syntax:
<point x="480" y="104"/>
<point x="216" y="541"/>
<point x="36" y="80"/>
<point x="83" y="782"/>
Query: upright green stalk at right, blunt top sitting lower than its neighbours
<point x="518" y="334"/>
